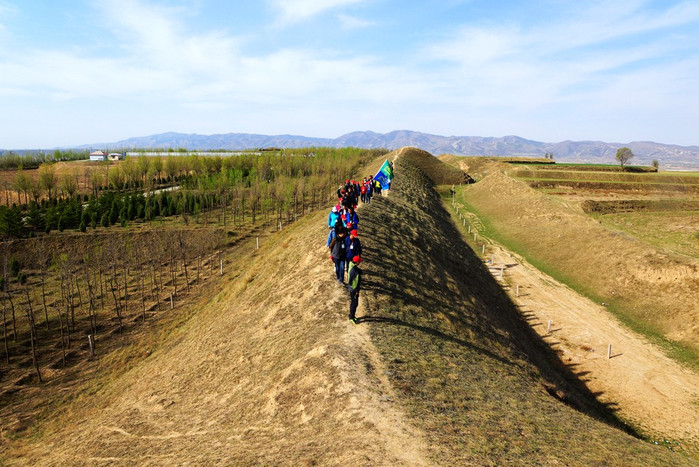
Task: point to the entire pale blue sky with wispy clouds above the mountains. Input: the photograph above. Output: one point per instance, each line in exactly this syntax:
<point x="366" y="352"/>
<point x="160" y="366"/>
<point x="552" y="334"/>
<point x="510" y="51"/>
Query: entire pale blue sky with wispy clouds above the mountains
<point x="83" y="71"/>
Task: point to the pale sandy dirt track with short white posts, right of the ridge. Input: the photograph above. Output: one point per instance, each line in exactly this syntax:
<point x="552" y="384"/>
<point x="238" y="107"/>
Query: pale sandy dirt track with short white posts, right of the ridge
<point x="648" y="389"/>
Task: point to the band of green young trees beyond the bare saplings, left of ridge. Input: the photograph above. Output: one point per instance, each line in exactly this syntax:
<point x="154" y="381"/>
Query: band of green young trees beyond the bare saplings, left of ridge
<point x="237" y="188"/>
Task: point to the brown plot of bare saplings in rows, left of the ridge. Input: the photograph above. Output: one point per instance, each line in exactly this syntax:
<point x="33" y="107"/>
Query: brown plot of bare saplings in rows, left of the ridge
<point x="51" y="299"/>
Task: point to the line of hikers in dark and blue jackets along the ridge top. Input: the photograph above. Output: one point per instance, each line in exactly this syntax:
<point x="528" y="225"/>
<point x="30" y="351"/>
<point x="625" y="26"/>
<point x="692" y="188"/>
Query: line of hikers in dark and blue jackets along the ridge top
<point x="343" y="238"/>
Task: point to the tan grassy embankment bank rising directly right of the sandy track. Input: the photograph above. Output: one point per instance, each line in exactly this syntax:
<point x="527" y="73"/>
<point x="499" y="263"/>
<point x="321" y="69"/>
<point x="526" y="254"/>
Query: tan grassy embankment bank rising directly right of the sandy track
<point x="630" y="275"/>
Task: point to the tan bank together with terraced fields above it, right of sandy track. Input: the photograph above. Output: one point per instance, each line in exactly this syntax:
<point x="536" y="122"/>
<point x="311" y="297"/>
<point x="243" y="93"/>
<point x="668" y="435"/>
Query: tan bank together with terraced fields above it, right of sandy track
<point x="566" y="232"/>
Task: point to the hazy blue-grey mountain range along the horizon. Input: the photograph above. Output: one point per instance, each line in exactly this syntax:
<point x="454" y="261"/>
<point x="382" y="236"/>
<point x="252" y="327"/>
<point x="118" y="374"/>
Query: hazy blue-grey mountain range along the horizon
<point x="669" y="156"/>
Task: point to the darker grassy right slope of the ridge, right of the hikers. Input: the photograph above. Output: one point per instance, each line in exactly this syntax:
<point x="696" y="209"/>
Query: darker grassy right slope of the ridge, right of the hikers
<point x="466" y="365"/>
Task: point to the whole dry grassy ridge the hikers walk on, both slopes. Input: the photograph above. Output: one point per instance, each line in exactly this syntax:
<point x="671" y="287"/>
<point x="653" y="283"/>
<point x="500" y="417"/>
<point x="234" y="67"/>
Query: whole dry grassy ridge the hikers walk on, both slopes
<point x="267" y="370"/>
